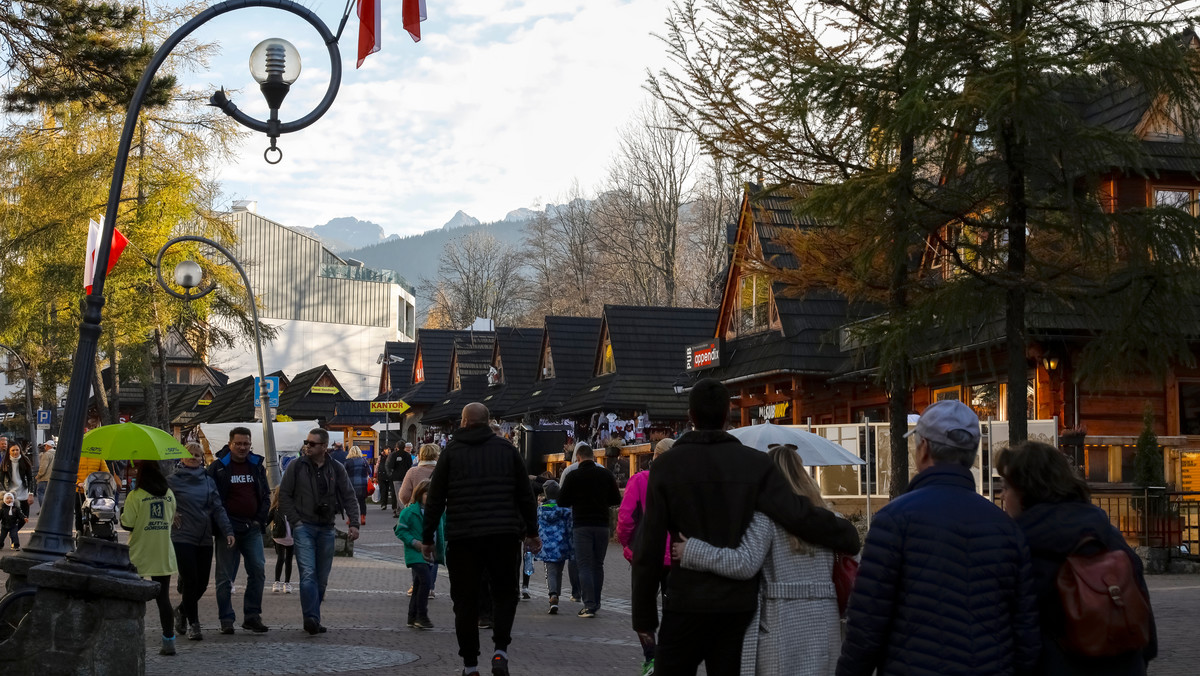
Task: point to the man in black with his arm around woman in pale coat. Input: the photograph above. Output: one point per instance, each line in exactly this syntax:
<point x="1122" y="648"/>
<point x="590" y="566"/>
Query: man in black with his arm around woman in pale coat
<point x="710" y="486"/>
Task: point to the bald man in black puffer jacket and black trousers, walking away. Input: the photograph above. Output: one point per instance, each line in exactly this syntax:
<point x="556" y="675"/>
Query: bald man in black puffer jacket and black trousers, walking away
<point x="481" y="484"/>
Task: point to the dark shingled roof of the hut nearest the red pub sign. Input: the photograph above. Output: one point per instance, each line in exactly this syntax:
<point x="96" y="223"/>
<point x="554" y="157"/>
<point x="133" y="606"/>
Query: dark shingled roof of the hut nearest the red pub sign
<point x="649" y="348"/>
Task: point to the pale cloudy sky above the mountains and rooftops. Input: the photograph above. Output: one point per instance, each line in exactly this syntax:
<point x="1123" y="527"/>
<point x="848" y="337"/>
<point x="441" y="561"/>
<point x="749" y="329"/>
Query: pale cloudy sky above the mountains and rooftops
<point x="502" y="105"/>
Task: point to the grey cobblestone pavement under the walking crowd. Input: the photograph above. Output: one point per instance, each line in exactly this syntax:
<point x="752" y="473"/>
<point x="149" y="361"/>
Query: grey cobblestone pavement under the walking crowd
<point x="365" y="609"/>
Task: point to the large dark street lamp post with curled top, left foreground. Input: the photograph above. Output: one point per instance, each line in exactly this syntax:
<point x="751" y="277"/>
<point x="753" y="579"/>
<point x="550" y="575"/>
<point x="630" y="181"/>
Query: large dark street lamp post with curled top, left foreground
<point x="53" y="537"/>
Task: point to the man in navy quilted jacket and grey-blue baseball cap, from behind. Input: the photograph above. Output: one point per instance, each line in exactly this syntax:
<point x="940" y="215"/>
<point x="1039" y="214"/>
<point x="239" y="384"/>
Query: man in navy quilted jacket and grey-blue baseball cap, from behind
<point x="946" y="583"/>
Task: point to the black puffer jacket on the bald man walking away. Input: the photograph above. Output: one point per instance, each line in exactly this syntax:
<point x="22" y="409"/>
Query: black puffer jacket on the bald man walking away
<point x="482" y="486"/>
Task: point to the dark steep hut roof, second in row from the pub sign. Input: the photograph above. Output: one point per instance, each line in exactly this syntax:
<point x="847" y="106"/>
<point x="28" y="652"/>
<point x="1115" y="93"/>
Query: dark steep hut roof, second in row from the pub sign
<point x="573" y="348"/>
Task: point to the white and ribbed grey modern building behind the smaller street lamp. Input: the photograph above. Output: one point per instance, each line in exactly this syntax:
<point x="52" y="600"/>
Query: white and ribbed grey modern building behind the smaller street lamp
<point x="328" y="310"/>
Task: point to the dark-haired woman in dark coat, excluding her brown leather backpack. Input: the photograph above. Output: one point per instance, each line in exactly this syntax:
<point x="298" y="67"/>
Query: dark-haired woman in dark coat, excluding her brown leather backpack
<point x="1052" y="504"/>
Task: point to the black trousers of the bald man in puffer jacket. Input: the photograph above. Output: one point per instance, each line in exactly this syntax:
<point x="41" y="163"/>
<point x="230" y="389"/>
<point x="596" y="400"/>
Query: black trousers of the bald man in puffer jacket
<point x="469" y="560"/>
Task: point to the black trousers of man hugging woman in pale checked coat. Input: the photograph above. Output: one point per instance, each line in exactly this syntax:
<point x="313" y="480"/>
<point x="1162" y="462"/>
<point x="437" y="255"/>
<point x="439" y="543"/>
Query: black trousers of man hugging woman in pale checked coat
<point x="688" y="639"/>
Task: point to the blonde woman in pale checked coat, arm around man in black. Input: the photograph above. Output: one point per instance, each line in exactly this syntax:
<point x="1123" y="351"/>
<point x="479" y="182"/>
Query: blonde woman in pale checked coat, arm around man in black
<point x="797" y="630"/>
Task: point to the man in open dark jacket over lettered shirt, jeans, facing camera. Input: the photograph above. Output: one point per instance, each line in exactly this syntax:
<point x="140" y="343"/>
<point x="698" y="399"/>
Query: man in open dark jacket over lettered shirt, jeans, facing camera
<point x="242" y="481"/>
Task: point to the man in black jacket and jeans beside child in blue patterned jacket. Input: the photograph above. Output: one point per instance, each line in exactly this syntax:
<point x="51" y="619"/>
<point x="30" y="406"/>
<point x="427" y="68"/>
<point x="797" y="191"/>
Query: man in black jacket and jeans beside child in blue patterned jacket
<point x="591" y="492"/>
